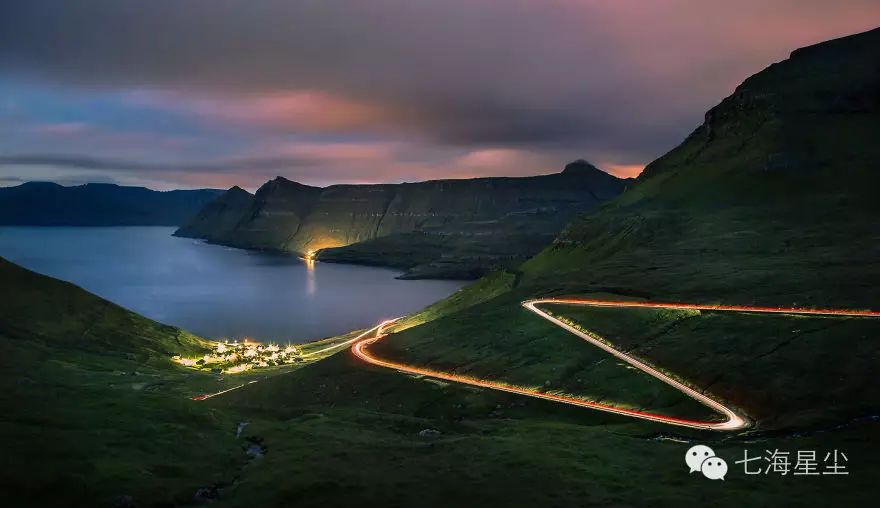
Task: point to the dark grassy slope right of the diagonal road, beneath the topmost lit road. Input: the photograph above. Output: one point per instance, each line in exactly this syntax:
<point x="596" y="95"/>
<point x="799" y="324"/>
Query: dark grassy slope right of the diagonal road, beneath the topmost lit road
<point x="784" y="371"/>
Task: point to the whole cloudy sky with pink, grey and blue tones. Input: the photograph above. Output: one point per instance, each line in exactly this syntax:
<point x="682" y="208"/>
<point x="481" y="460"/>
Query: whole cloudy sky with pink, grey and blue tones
<point x="214" y="93"/>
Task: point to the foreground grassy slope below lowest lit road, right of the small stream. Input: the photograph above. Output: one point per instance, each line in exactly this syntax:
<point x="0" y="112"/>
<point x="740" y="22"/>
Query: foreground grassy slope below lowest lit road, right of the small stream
<point x="341" y="434"/>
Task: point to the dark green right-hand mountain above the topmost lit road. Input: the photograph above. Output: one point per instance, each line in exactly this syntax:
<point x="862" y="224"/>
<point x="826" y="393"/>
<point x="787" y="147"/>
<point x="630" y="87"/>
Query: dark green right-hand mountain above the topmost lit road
<point x="772" y="198"/>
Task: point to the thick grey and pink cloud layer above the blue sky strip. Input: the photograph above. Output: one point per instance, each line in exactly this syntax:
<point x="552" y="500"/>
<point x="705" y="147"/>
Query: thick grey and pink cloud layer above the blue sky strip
<point x="620" y="81"/>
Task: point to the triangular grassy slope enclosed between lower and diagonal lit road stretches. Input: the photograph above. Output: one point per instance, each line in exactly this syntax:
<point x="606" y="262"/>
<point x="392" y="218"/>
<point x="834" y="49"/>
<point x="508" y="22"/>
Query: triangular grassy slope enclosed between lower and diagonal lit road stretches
<point x="521" y="349"/>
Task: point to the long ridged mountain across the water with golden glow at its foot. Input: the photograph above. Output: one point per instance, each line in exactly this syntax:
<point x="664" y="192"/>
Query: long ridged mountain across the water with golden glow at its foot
<point x="442" y="228"/>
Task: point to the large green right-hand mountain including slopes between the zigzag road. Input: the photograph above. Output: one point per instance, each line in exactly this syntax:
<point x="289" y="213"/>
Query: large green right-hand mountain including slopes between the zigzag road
<point x="771" y="201"/>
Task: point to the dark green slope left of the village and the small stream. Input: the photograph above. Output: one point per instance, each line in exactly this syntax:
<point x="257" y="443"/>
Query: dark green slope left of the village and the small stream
<point x="93" y="409"/>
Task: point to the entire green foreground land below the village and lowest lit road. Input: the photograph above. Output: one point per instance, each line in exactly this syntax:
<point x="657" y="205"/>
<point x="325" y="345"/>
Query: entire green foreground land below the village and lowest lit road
<point x="97" y="422"/>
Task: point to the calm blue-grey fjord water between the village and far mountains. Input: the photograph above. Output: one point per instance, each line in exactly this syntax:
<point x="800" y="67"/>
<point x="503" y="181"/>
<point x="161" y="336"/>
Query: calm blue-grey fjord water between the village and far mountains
<point x="215" y="291"/>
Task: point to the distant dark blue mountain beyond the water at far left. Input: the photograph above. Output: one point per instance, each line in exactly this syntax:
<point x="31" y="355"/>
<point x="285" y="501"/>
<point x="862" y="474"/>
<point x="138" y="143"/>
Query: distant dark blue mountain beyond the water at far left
<point x="94" y="204"/>
